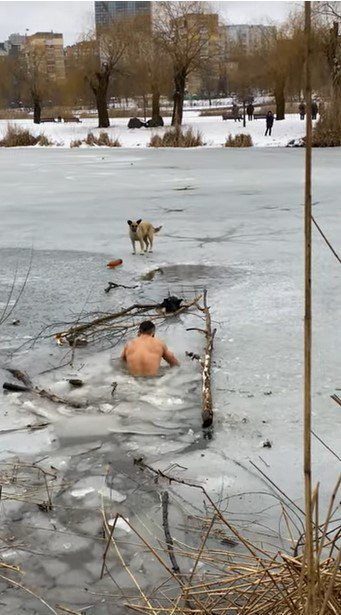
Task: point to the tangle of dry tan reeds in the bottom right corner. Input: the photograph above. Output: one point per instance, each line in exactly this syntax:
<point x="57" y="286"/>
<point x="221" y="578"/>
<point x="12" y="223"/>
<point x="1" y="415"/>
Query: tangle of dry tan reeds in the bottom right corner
<point x="211" y="580"/>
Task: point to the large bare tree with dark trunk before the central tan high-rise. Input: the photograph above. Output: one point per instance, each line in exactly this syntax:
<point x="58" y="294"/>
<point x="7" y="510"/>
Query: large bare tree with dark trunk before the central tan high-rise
<point x="184" y="33"/>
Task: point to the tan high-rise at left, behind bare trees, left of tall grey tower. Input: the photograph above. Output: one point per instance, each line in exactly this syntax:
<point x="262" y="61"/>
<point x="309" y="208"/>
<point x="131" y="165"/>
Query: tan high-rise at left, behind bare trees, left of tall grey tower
<point x="46" y="49"/>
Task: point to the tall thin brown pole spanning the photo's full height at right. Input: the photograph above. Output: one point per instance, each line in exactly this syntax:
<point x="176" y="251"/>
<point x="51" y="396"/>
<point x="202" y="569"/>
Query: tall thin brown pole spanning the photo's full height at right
<point x="310" y="606"/>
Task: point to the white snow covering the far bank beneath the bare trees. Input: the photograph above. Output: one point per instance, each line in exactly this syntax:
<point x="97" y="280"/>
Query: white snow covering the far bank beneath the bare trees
<point x="214" y="130"/>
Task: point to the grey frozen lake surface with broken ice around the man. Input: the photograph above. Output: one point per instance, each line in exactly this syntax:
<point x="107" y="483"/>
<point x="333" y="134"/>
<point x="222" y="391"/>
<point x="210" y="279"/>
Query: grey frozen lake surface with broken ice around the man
<point x="232" y="222"/>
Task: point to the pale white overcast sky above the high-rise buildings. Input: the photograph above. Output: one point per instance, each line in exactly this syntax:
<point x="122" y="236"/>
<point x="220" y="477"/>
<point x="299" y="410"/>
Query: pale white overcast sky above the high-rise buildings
<point x="73" y="18"/>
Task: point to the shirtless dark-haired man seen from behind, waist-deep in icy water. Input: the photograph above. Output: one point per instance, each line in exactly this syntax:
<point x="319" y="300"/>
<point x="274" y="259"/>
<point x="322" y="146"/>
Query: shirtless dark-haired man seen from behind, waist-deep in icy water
<point x="143" y="354"/>
